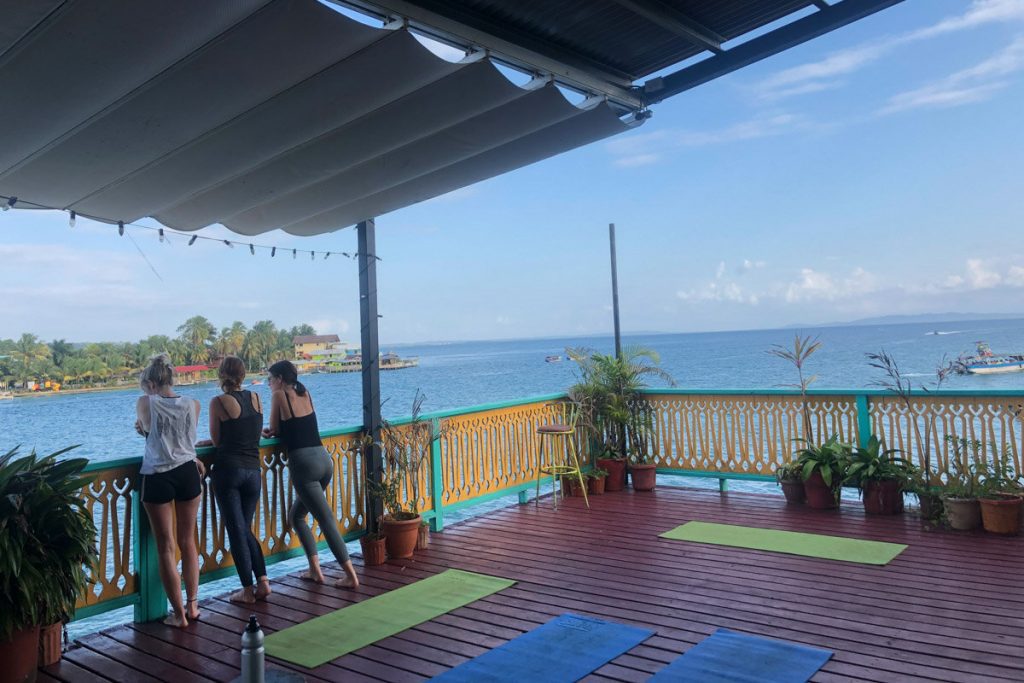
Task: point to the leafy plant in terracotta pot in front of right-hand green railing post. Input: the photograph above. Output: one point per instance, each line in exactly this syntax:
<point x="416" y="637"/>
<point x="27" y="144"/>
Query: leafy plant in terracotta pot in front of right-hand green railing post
<point x="880" y="477"/>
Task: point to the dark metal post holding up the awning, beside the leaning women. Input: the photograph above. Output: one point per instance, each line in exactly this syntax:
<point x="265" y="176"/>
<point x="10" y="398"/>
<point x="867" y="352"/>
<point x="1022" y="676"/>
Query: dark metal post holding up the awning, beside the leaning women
<point x="370" y="351"/>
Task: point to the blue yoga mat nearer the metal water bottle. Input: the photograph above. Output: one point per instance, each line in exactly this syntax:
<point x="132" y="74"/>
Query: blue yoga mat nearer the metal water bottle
<point x="567" y="649"/>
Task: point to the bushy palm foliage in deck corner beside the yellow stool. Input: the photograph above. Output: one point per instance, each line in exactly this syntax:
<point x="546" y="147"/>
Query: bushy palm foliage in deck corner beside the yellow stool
<point x="611" y="408"/>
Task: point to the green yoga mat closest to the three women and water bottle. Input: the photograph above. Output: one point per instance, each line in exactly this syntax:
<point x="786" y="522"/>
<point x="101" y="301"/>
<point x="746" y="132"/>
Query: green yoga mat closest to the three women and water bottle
<point x="320" y="641"/>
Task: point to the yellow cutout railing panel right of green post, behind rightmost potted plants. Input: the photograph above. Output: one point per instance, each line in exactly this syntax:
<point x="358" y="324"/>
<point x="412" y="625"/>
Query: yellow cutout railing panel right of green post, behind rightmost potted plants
<point x="993" y="420"/>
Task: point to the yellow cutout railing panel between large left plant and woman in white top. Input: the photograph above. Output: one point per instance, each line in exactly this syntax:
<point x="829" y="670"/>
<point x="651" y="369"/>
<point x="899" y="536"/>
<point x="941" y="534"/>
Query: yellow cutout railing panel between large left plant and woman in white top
<point x="109" y="498"/>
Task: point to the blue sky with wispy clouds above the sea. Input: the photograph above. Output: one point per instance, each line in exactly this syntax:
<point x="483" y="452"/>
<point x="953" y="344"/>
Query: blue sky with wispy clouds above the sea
<point x="874" y="172"/>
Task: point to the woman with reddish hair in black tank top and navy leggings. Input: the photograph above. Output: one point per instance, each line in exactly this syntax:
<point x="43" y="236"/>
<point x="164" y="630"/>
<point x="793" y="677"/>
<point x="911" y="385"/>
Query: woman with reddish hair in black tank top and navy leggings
<point x="236" y="423"/>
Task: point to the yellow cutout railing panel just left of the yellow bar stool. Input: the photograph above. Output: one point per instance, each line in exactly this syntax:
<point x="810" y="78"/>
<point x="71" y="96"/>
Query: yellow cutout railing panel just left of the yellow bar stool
<point x="487" y="452"/>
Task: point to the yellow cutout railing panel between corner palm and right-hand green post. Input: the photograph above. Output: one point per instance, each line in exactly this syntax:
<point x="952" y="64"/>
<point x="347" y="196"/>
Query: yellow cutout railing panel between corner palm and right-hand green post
<point x="743" y="434"/>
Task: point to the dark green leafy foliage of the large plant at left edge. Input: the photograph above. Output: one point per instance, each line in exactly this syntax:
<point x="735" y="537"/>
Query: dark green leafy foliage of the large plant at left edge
<point x="48" y="539"/>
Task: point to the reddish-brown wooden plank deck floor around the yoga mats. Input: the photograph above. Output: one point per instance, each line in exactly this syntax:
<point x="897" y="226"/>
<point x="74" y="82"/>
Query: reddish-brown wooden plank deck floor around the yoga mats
<point x="950" y="609"/>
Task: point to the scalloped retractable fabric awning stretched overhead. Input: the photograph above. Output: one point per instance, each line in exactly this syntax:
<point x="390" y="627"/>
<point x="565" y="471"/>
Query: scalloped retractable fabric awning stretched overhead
<point x="257" y="114"/>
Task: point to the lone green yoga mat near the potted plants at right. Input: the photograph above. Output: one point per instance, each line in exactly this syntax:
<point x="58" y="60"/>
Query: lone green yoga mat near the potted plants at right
<point x="809" y="545"/>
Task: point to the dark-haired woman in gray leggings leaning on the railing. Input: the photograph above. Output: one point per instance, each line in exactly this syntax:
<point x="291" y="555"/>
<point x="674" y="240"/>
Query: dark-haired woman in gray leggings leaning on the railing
<point x="310" y="467"/>
